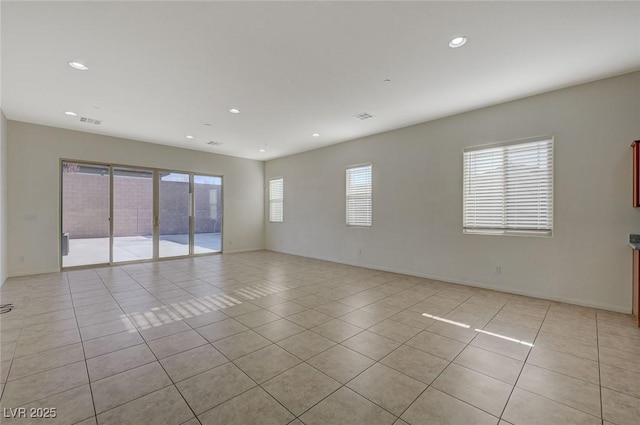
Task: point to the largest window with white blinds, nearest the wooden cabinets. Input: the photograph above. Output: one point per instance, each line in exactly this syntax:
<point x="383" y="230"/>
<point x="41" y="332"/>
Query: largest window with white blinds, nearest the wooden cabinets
<point x="508" y="188"/>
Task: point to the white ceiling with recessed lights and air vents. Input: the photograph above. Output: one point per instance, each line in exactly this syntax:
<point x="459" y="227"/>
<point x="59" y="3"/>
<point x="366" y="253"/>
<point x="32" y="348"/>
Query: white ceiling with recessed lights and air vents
<point x="161" y="70"/>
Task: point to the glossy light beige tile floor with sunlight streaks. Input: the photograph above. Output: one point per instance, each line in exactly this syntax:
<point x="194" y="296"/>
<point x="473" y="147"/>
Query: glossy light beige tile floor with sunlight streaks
<point x="267" y="338"/>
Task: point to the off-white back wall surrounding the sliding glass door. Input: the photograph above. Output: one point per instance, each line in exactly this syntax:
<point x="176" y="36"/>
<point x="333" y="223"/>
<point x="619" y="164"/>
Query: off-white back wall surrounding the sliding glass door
<point x="34" y="154"/>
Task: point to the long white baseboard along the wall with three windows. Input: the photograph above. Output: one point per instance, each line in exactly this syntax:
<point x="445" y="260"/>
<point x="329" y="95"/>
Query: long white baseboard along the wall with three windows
<point x="568" y="300"/>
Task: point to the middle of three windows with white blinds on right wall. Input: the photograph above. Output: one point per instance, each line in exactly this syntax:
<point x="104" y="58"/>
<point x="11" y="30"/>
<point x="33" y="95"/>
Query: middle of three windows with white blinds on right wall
<point x="359" y="196"/>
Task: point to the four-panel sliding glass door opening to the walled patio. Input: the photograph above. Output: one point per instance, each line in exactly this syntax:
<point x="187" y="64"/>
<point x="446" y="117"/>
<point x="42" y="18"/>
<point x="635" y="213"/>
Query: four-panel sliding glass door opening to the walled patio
<point x="115" y="214"/>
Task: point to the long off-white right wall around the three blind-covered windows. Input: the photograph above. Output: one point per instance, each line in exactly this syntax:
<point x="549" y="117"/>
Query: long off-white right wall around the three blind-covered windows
<point x="417" y="198"/>
